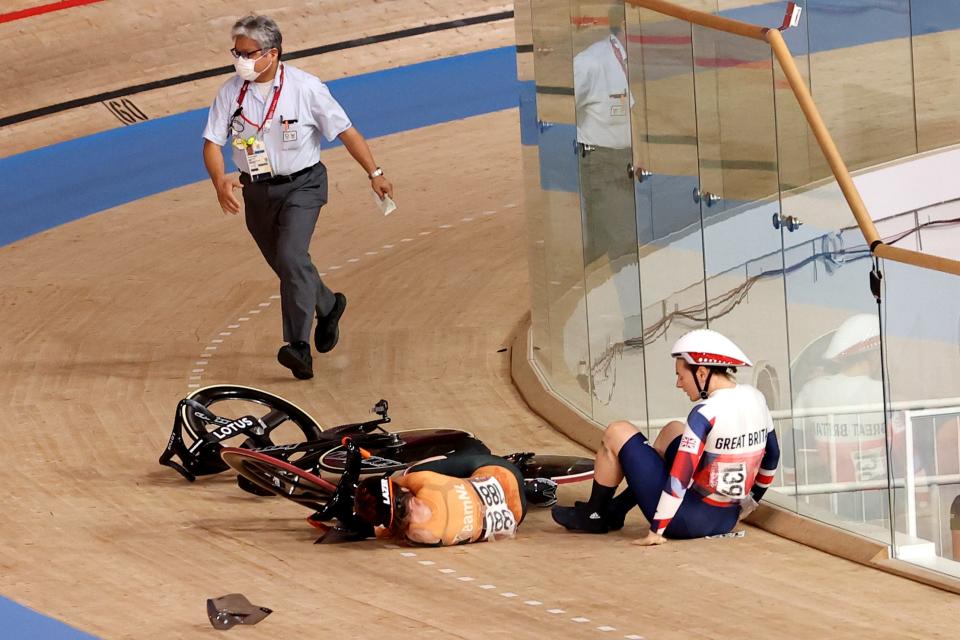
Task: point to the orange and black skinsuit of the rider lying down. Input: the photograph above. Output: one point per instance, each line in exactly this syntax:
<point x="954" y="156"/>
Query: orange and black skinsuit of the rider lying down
<point x="465" y="506"/>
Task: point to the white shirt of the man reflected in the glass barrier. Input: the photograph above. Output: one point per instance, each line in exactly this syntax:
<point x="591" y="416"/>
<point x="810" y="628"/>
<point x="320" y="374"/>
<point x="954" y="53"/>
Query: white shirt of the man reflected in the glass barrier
<point x="600" y="90"/>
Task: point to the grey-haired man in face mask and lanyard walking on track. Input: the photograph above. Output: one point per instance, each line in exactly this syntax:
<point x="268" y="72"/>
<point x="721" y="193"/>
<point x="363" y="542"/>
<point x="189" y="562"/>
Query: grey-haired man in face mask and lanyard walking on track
<point x="272" y="115"/>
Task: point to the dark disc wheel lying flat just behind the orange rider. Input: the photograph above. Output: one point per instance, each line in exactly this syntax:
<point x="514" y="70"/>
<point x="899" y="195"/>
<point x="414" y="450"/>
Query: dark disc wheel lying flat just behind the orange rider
<point x="405" y="448"/>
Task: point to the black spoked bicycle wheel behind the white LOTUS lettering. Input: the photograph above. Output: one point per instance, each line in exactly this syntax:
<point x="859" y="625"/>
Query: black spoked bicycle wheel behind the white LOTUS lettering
<point x="284" y="422"/>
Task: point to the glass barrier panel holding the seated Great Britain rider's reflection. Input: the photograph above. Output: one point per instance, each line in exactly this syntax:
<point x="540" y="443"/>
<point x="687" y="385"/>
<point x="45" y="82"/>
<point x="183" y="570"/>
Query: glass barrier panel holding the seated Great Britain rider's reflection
<point x="839" y="461"/>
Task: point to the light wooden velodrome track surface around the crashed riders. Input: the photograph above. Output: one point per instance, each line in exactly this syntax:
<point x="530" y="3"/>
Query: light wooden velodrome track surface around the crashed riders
<point x="103" y="321"/>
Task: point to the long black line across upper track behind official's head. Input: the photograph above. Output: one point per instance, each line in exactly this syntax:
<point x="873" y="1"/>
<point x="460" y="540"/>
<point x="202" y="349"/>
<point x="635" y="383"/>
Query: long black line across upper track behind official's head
<point x="209" y="73"/>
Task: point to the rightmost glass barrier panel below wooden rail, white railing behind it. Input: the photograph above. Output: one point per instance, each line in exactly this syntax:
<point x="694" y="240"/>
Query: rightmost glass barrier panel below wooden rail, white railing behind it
<point x="921" y="330"/>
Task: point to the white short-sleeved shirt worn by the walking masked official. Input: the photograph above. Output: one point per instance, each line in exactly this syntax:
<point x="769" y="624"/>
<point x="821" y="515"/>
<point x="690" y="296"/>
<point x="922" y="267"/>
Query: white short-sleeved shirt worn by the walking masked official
<point x="304" y="98"/>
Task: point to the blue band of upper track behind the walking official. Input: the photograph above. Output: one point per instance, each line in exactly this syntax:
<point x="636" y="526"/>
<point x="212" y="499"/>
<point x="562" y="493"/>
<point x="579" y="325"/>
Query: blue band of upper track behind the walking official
<point x="56" y="184"/>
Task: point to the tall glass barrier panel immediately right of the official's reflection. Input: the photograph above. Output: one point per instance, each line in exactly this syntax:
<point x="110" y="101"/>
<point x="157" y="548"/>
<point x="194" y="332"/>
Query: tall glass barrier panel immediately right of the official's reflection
<point x="668" y="218"/>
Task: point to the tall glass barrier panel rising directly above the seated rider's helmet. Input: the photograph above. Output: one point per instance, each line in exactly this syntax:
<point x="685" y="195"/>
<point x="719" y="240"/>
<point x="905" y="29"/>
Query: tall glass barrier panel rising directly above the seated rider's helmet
<point x="739" y="204"/>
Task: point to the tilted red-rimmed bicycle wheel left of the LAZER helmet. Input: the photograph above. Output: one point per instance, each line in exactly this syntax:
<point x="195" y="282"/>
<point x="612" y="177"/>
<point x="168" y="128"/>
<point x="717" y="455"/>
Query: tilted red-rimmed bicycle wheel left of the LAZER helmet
<point x="279" y="477"/>
